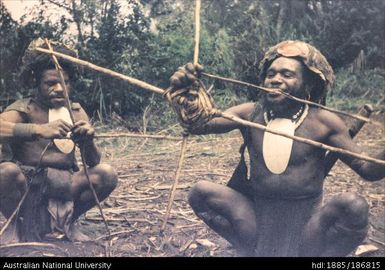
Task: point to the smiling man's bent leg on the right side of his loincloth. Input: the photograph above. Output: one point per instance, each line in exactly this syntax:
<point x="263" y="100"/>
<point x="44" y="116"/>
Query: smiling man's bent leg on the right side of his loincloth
<point x="338" y="228"/>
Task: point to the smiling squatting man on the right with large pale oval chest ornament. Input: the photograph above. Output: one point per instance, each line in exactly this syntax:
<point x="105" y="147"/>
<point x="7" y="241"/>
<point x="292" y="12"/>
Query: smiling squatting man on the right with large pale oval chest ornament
<point x="278" y="211"/>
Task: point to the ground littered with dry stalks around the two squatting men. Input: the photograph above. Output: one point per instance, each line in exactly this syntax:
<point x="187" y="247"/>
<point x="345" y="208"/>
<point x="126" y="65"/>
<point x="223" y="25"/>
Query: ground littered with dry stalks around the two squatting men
<point x="146" y="169"/>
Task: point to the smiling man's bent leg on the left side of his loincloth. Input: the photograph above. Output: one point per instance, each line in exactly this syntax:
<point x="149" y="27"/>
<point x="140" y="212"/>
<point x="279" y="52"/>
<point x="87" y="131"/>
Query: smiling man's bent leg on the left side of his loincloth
<point x="227" y="212"/>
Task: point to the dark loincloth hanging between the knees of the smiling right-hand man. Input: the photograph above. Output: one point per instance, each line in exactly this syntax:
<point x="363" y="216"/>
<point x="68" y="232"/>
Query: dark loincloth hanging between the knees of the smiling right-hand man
<point x="281" y="224"/>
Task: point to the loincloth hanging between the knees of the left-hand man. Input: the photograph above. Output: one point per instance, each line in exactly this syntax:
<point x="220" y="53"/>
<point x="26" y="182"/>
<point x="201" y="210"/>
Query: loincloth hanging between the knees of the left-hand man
<point x="48" y="205"/>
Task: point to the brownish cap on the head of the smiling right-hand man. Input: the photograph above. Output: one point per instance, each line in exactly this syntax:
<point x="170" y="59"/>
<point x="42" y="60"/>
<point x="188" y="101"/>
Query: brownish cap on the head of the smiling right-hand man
<point x="308" y="55"/>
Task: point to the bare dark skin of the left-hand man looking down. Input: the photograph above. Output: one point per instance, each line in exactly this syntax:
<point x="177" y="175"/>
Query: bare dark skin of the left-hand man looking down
<point x="13" y="182"/>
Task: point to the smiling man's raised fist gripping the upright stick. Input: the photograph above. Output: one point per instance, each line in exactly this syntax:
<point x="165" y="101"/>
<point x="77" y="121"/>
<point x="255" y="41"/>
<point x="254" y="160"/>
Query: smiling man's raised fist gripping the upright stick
<point x="185" y="76"/>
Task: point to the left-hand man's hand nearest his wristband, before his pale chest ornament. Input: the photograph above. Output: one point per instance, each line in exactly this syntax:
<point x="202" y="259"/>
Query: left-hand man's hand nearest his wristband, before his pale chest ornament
<point x="57" y="129"/>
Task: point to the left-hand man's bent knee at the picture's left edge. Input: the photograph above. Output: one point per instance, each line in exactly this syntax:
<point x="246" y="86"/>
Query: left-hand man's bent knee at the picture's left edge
<point x="11" y="174"/>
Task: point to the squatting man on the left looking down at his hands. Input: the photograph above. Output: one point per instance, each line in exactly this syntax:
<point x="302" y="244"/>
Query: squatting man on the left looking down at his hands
<point x="38" y="137"/>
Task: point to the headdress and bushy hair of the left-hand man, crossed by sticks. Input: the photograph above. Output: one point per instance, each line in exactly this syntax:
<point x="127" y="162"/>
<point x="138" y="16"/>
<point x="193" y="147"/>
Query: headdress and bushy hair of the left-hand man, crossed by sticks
<point x="34" y="62"/>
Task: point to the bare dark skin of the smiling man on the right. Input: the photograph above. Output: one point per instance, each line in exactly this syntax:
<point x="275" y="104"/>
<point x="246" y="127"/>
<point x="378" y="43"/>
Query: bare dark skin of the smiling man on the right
<point x="232" y="214"/>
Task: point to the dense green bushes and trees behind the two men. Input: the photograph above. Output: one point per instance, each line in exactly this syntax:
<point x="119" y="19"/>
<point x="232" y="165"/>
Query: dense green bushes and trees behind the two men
<point x="150" y="39"/>
